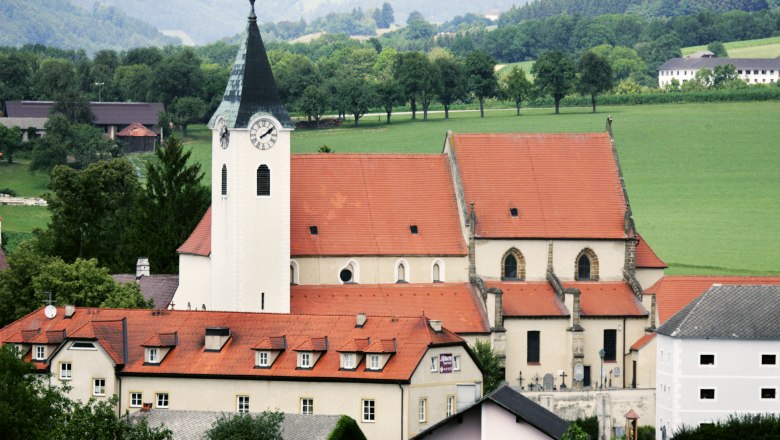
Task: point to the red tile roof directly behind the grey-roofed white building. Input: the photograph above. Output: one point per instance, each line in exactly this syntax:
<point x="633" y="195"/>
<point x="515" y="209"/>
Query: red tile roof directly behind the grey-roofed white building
<point x="672" y="293"/>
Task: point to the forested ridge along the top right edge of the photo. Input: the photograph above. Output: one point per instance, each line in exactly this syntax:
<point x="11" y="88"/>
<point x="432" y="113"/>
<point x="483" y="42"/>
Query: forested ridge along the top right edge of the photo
<point x="646" y="8"/>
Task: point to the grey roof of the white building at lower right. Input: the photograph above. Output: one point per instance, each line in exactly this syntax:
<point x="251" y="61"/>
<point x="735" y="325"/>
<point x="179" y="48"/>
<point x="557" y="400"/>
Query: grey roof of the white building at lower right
<point x="729" y="312"/>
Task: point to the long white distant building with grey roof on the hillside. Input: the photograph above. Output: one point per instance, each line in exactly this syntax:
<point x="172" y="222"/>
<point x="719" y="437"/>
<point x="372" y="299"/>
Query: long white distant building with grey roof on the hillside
<point x="750" y="70"/>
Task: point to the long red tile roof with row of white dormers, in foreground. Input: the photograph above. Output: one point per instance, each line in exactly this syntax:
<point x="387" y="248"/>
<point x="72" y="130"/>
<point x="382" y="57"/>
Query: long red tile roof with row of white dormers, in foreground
<point x="413" y="336"/>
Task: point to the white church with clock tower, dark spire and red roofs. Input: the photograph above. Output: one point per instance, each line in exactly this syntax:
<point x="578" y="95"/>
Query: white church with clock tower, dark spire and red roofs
<point x="525" y="240"/>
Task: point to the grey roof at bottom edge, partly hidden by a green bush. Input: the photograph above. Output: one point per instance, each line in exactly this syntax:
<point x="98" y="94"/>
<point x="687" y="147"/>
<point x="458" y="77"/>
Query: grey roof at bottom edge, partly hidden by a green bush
<point x="192" y="425"/>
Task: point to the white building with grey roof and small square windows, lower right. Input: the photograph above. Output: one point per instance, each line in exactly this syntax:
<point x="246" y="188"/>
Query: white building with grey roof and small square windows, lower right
<point x="719" y="356"/>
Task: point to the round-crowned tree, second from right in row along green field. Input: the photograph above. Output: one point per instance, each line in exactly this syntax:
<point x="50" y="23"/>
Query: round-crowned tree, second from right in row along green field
<point x="554" y="75"/>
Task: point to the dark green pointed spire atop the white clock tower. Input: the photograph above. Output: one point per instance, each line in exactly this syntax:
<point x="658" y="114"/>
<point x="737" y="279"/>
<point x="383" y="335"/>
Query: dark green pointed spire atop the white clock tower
<point x="251" y="88"/>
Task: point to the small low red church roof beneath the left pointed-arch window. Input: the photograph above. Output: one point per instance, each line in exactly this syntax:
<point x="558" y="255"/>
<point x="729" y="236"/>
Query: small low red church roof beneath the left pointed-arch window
<point x="530" y="299"/>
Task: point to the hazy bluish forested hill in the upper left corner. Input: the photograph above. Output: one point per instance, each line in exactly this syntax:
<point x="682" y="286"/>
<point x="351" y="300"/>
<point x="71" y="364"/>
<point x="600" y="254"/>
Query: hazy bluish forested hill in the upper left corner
<point x="59" y="23"/>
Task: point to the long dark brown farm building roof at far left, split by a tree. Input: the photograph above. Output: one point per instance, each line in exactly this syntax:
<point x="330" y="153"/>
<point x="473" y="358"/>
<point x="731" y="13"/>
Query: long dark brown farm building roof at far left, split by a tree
<point x="106" y="113"/>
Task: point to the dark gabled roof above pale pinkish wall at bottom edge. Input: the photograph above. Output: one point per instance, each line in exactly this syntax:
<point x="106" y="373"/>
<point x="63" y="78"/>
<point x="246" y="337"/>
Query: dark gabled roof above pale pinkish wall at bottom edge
<point x="519" y="405"/>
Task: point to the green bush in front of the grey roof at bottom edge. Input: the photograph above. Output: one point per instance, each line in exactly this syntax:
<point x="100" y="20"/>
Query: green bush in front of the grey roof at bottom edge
<point x="266" y="425"/>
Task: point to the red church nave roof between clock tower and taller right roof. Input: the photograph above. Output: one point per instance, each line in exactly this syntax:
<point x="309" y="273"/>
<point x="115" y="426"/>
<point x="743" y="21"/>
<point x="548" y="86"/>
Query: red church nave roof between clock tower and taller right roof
<point x="365" y="204"/>
